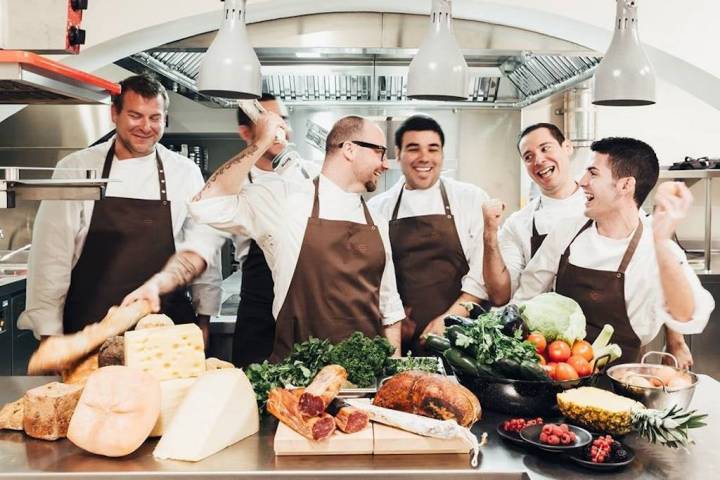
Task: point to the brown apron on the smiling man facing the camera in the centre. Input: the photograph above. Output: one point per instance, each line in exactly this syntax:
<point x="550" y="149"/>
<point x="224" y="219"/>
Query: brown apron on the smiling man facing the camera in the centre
<point x="429" y="266"/>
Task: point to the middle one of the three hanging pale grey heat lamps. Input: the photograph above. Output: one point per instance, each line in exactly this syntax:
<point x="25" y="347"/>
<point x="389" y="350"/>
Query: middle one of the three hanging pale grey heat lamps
<point x="439" y="70"/>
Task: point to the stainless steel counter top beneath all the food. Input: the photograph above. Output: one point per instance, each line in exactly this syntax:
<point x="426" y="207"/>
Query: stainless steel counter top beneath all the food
<point x="27" y="458"/>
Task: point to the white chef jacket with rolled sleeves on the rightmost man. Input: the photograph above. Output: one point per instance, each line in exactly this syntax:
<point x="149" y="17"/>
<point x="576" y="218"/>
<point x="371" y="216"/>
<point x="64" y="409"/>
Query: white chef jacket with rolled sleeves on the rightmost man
<point x="644" y="296"/>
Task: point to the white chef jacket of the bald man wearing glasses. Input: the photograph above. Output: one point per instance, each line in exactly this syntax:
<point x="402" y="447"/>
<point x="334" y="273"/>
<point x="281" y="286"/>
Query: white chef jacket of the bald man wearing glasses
<point x="275" y="213"/>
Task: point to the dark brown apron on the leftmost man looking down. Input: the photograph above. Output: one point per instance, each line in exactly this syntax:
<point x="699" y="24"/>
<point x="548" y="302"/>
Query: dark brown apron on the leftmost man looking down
<point x="128" y="241"/>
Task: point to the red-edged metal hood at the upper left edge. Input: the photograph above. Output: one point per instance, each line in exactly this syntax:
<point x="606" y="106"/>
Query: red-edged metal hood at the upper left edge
<point x="28" y="78"/>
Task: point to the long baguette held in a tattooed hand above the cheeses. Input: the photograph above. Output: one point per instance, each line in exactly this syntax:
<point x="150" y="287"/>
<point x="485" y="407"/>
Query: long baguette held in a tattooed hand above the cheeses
<point x="61" y="352"/>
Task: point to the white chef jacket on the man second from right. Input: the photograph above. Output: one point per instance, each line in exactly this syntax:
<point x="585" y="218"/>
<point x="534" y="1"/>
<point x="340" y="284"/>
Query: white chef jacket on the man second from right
<point x="514" y="237"/>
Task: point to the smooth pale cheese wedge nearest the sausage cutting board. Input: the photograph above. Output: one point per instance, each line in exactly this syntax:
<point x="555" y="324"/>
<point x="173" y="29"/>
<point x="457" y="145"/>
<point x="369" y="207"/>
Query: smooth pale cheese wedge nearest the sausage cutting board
<point x="219" y="410"/>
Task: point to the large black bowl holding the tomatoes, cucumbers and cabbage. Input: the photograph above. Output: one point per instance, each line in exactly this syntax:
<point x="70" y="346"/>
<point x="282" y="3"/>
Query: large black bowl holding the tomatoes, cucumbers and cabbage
<point x="521" y="398"/>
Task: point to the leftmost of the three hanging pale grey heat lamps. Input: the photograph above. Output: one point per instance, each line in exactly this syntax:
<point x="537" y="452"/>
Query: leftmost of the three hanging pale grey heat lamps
<point x="230" y="67"/>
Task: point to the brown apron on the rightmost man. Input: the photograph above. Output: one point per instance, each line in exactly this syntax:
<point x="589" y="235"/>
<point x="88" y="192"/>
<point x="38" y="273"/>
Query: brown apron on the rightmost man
<point x="601" y="295"/>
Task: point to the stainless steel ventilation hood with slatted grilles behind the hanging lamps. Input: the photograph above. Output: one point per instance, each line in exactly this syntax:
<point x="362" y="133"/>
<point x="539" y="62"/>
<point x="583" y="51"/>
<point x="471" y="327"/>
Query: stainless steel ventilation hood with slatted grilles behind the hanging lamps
<point x="311" y="76"/>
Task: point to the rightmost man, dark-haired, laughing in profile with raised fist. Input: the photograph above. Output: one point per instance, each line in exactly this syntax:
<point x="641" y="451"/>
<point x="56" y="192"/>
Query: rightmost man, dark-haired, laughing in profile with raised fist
<point x="621" y="266"/>
